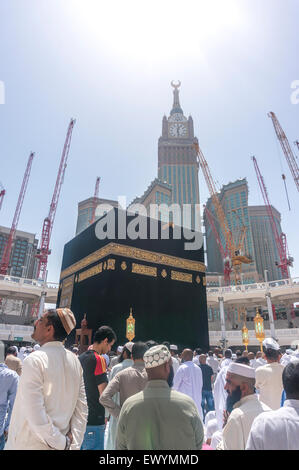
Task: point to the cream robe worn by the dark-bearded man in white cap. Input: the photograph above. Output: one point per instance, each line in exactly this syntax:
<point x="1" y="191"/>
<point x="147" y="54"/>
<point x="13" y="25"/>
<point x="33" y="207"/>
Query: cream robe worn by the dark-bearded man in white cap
<point x="236" y="431"/>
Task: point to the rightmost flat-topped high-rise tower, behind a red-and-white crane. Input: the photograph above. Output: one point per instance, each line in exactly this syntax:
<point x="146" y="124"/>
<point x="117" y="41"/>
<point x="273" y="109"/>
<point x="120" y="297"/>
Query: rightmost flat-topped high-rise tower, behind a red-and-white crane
<point x="265" y="249"/>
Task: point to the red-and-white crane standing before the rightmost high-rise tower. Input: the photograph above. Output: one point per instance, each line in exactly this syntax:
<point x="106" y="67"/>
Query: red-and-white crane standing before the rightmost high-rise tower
<point x="280" y="240"/>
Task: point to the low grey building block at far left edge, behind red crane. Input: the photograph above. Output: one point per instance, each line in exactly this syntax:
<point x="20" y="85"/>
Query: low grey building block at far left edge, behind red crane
<point x="23" y="262"/>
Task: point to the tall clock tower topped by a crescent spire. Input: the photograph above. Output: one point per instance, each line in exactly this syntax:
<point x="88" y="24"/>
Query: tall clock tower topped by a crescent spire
<point x="177" y="161"/>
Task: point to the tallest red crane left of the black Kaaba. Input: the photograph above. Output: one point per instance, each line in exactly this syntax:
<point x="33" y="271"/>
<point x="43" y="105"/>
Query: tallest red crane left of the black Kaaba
<point x="44" y="250"/>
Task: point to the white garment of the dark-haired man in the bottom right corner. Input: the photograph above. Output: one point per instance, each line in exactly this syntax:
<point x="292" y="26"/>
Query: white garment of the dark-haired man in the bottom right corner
<point x="276" y="430"/>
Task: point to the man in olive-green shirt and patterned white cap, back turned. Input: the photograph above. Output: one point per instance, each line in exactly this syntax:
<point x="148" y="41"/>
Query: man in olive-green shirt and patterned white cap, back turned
<point x="159" y="418"/>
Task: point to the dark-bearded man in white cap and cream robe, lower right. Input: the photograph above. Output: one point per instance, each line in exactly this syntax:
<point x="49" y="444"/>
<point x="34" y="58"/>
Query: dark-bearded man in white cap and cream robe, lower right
<point x="245" y="405"/>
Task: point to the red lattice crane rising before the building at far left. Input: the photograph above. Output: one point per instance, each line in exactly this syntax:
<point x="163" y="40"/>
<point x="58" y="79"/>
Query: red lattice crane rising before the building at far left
<point x="8" y="247"/>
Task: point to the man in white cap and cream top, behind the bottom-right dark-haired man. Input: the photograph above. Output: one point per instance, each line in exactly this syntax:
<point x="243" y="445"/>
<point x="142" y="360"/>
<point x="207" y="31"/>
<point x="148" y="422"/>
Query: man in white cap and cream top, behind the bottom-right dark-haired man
<point x="269" y="377"/>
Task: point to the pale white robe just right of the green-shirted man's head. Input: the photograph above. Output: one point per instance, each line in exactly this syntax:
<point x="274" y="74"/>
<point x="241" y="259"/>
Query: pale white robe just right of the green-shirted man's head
<point x="188" y="380"/>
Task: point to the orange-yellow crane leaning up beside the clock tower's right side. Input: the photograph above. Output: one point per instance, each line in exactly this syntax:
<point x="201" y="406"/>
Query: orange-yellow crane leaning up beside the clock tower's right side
<point x="234" y="251"/>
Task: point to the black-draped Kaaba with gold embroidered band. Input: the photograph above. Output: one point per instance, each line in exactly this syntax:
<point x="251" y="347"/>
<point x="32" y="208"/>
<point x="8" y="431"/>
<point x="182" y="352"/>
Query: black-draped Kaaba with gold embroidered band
<point x="156" y="276"/>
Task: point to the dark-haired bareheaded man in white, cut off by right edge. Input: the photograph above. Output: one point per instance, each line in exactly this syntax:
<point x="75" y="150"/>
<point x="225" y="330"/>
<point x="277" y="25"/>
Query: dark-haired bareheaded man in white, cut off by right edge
<point x="279" y="429"/>
